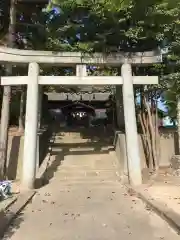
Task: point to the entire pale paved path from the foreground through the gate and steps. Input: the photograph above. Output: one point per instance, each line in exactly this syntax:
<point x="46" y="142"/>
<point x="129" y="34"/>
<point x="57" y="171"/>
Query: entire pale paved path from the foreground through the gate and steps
<point x="85" y="200"/>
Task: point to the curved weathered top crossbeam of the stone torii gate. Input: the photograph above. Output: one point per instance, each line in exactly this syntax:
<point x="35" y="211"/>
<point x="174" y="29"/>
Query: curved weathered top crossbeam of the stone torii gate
<point x="18" y="56"/>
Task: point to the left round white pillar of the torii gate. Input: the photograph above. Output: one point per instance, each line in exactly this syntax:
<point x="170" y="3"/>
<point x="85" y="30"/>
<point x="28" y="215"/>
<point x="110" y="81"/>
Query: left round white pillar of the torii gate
<point x="31" y="125"/>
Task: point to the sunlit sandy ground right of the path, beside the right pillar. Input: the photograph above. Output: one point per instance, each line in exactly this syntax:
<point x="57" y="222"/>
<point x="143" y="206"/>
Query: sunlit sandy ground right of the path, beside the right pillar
<point x="163" y="196"/>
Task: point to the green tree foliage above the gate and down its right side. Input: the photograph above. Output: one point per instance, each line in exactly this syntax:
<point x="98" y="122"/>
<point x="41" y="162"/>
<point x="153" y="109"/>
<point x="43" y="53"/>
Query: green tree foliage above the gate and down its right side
<point x="107" y="26"/>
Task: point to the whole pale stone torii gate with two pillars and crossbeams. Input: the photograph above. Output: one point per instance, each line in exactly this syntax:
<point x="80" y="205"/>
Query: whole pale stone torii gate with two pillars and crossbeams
<point x="33" y="80"/>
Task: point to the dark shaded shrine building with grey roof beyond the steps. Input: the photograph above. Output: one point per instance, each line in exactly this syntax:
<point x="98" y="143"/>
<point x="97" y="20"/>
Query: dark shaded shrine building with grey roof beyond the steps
<point x="84" y="109"/>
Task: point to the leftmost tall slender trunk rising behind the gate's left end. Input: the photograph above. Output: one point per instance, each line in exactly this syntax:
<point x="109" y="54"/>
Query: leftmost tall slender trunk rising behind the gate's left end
<point x="5" y="109"/>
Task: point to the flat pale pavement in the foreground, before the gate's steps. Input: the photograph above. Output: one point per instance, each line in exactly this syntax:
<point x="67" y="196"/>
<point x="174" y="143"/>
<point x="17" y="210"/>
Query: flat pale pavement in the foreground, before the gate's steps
<point x="89" y="213"/>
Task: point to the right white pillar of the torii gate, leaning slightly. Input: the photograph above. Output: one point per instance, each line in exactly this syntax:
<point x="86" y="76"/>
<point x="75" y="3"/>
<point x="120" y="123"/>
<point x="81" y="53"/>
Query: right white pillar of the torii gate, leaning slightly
<point x="132" y="145"/>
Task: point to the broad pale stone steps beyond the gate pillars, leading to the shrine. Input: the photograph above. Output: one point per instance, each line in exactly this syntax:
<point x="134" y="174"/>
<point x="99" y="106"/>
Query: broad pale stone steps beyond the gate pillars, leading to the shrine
<point x="83" y="162"/>
